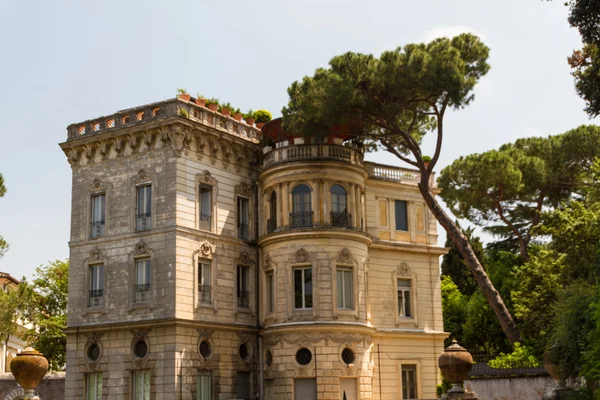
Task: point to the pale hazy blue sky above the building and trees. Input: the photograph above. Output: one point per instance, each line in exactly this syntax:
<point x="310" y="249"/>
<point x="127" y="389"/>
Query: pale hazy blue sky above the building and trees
<point x="68" y="61"/>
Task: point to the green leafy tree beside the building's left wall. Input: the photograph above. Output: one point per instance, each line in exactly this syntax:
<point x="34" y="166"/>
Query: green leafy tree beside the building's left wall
<point x="44" y="305"/>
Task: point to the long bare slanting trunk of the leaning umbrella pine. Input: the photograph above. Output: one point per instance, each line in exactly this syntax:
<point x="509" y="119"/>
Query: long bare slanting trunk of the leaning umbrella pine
<point x="462" y="244"/>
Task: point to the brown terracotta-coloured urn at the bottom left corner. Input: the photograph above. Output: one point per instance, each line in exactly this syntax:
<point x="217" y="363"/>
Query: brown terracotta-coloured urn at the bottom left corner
<point x="28" y="368"/>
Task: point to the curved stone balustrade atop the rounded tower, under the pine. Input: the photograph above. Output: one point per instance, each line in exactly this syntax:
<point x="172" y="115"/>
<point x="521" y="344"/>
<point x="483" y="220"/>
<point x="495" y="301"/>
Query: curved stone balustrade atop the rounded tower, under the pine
<point x="302" y="152"/>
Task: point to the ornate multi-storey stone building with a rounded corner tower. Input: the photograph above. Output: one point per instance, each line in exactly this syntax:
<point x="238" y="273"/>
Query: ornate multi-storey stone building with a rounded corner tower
<point x="212" y="260"/>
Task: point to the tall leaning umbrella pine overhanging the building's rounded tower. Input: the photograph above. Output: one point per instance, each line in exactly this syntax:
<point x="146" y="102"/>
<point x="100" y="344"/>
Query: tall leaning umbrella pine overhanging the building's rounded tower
<point x="392" y="102"/>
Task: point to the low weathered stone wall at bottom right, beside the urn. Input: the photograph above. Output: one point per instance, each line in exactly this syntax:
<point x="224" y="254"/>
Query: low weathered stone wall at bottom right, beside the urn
<point x="524" y="388"/>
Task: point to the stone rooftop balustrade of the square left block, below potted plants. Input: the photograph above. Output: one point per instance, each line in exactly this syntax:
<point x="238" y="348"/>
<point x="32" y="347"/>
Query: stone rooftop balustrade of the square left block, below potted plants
<point x="159" y="111"/>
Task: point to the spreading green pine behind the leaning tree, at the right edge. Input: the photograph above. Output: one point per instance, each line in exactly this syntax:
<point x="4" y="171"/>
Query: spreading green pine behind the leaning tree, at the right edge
<point x="506" y="190"/>
